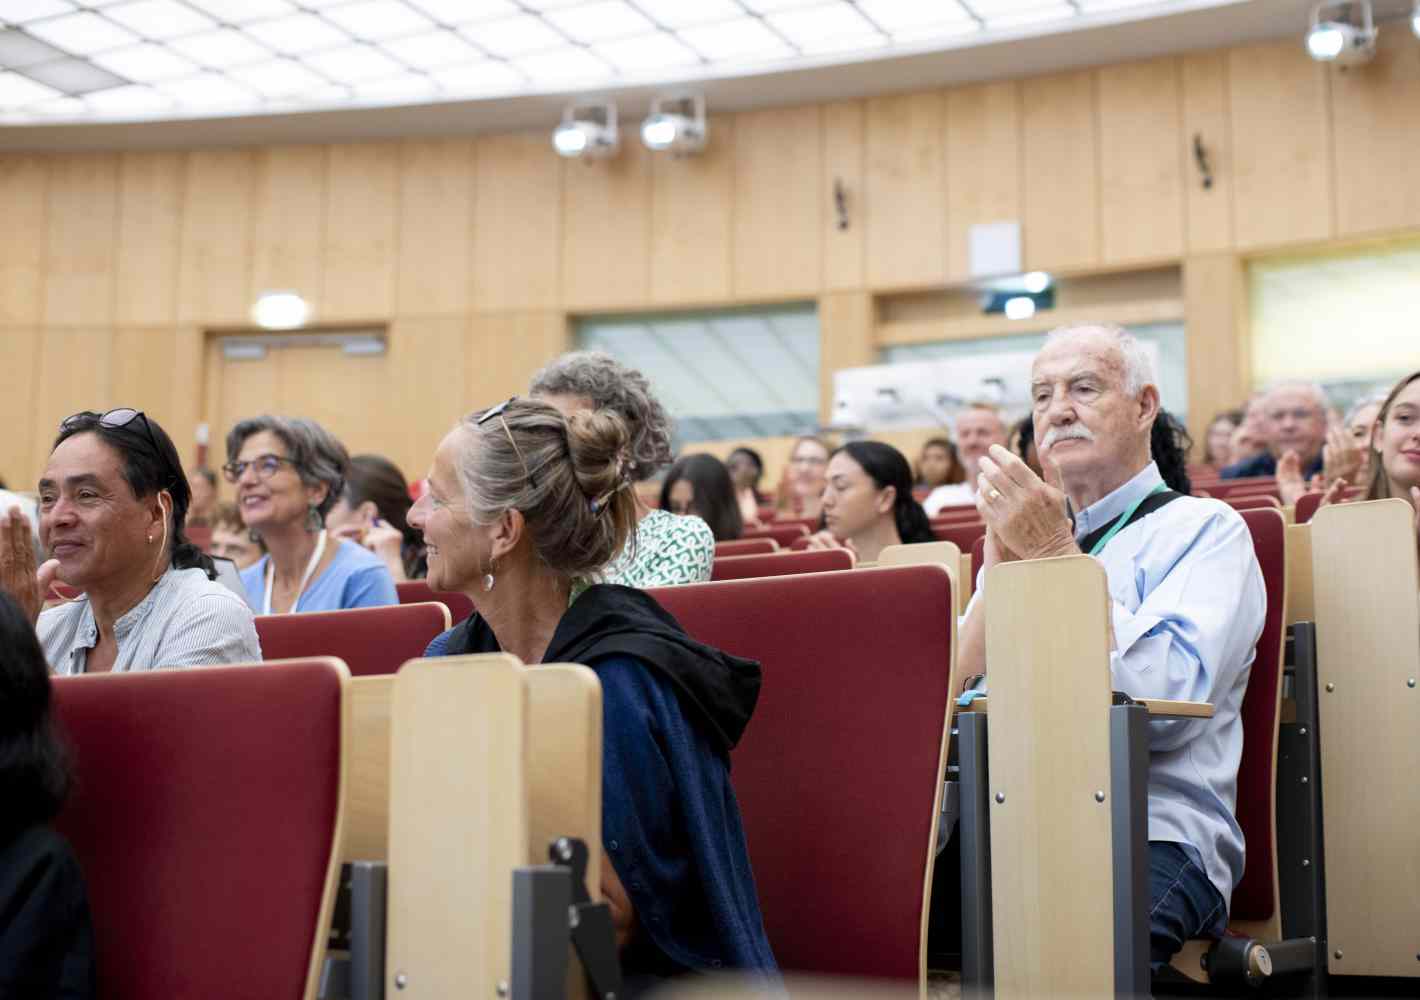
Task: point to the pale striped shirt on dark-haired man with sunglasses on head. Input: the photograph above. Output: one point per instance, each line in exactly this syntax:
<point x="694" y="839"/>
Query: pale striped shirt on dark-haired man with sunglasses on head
<point x="187" y="620"/>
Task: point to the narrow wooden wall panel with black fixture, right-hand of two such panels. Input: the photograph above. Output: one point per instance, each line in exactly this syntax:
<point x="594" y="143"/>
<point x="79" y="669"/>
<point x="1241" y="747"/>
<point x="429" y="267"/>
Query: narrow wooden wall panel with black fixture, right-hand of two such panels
<point x="1208" y="211"/>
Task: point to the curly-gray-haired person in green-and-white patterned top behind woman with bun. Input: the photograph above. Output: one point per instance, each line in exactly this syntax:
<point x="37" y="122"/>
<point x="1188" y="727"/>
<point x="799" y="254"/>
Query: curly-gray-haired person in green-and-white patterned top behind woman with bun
<point x="665" y="549"/>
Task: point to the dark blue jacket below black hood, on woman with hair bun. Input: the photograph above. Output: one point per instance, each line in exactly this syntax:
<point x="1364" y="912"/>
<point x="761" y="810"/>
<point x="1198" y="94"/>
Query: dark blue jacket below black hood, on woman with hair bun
<point x="671" y="827"/>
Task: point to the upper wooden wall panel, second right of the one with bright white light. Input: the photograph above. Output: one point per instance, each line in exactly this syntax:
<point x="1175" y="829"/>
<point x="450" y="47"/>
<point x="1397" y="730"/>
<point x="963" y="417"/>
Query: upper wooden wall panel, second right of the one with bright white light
<point x="435" y="228"/>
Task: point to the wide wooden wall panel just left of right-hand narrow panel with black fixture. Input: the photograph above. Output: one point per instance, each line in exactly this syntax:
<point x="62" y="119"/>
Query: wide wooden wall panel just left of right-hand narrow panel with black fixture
<point x="1141" y="163"/>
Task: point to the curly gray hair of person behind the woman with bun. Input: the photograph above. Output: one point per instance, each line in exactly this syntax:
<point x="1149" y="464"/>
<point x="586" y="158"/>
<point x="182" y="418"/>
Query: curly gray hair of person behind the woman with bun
<point x="624" y="391"/>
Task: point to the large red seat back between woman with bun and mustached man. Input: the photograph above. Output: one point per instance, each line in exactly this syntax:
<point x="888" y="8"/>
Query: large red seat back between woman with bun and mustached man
<point x="839" y="769"/>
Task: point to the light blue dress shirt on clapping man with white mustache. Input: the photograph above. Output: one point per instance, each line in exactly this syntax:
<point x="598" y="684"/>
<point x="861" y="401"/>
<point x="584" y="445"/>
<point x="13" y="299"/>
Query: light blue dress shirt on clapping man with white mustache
<point x="1189" y="606"/>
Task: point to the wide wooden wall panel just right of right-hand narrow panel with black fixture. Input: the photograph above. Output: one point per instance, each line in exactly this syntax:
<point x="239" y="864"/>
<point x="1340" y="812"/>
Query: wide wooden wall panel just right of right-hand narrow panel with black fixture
<point x="1282" y="133"/>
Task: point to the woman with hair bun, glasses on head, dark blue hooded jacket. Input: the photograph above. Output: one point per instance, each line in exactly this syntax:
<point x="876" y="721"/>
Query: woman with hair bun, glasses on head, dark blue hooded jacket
<point x="523" y="513"/>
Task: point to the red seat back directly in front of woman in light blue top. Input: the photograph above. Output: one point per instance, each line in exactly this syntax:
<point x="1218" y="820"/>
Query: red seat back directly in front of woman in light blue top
<point x="368" y="640"/>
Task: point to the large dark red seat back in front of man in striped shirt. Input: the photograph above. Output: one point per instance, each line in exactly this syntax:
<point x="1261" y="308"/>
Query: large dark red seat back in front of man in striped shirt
<point x="204" y="816"/>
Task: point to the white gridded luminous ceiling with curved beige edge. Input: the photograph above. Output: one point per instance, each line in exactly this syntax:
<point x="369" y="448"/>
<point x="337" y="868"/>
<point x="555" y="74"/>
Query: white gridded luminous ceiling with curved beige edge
<point x="244" y="69"/>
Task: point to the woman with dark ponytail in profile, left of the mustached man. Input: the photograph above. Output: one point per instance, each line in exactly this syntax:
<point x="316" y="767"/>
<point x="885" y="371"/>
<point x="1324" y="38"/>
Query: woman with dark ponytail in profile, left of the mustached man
<point x="868" y="502"/>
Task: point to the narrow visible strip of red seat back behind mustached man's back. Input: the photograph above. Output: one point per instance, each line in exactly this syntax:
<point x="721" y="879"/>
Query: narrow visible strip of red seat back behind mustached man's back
<point x="1256" y="896"/>
